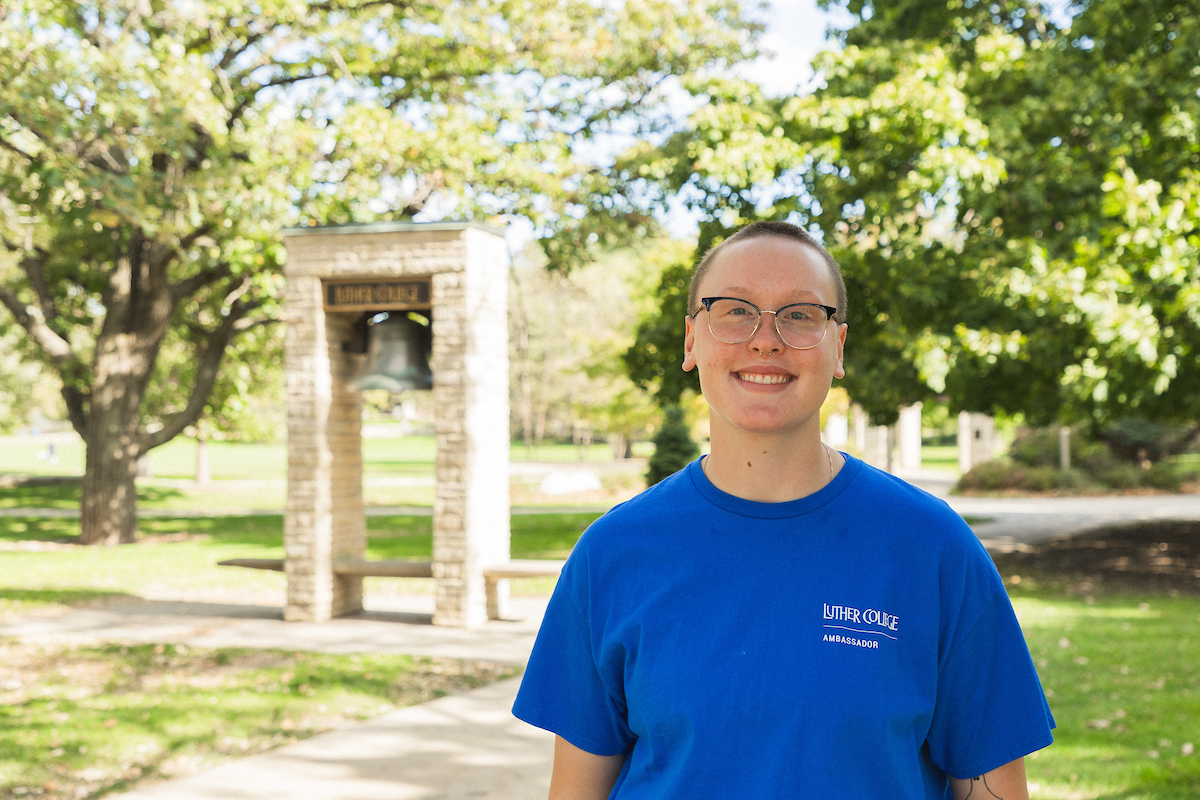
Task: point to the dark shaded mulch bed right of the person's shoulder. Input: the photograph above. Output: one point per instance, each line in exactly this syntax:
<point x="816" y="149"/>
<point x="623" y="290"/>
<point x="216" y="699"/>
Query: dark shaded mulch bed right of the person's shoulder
<point x="1153" y="557"/>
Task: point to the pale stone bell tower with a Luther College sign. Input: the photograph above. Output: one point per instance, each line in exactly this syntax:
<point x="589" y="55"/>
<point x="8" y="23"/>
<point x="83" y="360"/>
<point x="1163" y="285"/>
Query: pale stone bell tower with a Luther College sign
<point x="447" y="282"/>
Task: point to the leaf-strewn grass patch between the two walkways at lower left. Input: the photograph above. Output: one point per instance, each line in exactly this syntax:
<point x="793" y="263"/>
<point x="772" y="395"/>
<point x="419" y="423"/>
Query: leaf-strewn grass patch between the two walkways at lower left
<point x="83" y="723"/>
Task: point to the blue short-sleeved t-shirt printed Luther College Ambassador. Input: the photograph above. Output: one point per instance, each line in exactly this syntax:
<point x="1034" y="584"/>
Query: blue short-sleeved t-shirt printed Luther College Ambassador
<point x="855" y="643"/>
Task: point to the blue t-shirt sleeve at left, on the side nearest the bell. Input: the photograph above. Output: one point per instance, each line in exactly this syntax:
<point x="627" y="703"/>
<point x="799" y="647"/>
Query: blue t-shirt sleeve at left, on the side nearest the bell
<point x="562" y="690"/>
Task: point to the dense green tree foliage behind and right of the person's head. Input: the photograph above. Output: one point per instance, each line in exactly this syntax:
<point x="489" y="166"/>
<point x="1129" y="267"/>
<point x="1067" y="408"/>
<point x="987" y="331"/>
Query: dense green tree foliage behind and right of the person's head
<point x="1012" y="201"/>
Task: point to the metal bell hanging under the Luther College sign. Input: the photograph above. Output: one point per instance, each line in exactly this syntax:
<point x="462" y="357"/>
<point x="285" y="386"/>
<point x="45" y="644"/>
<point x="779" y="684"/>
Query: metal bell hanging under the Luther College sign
<point x="399" y="353"/>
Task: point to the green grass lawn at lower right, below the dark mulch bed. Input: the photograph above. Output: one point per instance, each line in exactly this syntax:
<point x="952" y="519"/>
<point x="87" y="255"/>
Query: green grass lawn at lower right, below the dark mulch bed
<point x="1123" y="676"/>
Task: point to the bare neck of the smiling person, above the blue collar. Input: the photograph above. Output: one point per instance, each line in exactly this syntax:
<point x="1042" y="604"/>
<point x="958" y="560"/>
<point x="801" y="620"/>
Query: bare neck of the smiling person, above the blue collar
<point x="771" y="468"/>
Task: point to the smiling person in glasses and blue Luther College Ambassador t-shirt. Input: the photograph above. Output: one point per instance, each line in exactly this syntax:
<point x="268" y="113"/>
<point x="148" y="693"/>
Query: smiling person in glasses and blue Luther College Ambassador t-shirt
<point x="779" y="619"/>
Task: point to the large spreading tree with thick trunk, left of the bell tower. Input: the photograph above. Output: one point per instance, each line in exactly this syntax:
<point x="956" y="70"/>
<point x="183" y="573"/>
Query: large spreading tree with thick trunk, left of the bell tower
<point x="151" y="153"/>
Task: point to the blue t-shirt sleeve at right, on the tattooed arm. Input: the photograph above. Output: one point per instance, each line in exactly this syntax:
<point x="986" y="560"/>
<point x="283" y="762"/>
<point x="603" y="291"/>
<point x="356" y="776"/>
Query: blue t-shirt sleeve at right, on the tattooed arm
<point x="991" y="706"/>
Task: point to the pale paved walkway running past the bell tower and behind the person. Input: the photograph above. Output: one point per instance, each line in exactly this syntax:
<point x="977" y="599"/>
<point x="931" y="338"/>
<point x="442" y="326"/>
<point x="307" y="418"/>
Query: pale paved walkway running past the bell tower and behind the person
<point x="466" y="745"/>
